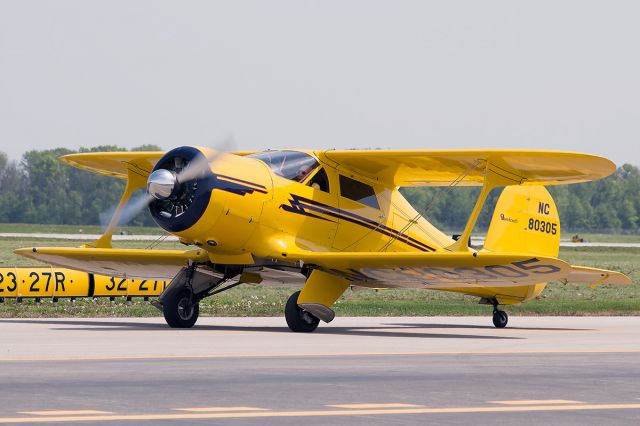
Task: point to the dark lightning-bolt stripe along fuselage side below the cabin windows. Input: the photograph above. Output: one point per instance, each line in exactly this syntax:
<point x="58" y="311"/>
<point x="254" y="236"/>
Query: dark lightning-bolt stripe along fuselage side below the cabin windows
<point x="301" y="205"/>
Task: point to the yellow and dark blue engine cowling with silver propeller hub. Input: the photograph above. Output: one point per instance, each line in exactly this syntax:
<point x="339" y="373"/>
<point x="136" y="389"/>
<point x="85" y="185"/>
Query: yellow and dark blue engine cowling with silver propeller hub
<point x="208" y="198"/>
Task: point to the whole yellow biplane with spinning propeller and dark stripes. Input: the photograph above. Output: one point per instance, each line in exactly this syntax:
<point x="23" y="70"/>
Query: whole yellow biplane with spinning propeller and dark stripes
<point x="328" y="220"/>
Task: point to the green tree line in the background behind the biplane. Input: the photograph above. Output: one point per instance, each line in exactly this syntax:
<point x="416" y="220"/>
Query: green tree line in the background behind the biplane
<point x="40" y="189"/>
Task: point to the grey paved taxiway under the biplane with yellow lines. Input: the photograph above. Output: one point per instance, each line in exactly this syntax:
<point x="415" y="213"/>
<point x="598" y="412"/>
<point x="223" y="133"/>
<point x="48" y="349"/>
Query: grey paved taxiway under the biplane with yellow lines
<point x="356" y="371"/>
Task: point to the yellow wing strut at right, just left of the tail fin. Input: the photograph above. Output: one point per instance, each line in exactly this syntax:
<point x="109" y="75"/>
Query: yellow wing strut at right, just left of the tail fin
<point x="494" y="177"/>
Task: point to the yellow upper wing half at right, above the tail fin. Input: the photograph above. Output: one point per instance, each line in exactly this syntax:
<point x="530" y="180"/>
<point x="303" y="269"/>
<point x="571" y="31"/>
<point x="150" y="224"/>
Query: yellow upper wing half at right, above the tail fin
<point x="467" y="167"/>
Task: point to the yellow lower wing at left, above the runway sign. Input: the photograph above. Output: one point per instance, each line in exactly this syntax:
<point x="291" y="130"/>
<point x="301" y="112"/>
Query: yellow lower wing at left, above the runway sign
<point x="133" y="263"/>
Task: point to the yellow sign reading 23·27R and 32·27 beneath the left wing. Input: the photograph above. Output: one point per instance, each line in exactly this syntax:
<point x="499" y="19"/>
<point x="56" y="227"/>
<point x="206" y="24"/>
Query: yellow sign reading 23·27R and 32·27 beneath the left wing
<point x="43" y="282"/>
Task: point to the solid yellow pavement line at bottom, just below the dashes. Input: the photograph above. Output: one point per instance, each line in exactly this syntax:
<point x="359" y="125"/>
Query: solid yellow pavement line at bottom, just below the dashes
<point x="319" y="413"/>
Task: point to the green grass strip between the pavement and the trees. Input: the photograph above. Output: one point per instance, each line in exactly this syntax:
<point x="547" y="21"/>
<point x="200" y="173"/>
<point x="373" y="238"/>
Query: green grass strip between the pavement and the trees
<point x="557" y="299"/>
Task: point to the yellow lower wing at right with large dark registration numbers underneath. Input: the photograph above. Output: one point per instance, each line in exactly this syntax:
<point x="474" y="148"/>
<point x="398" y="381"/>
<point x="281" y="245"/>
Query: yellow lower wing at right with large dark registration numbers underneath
<point x="439" y="270"/>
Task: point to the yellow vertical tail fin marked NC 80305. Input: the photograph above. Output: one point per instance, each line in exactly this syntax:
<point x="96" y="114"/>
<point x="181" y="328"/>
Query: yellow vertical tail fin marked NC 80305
<point x="525" y="220"/>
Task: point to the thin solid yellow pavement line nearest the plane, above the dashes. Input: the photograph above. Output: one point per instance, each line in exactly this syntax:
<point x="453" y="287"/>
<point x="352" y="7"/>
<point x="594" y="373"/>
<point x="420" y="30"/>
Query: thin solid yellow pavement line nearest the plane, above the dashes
<point x="319" y="355"/>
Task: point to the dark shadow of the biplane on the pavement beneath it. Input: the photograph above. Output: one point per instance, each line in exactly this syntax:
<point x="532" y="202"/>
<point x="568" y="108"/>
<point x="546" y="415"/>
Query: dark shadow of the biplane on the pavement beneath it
<point x="387" y="330"/>
